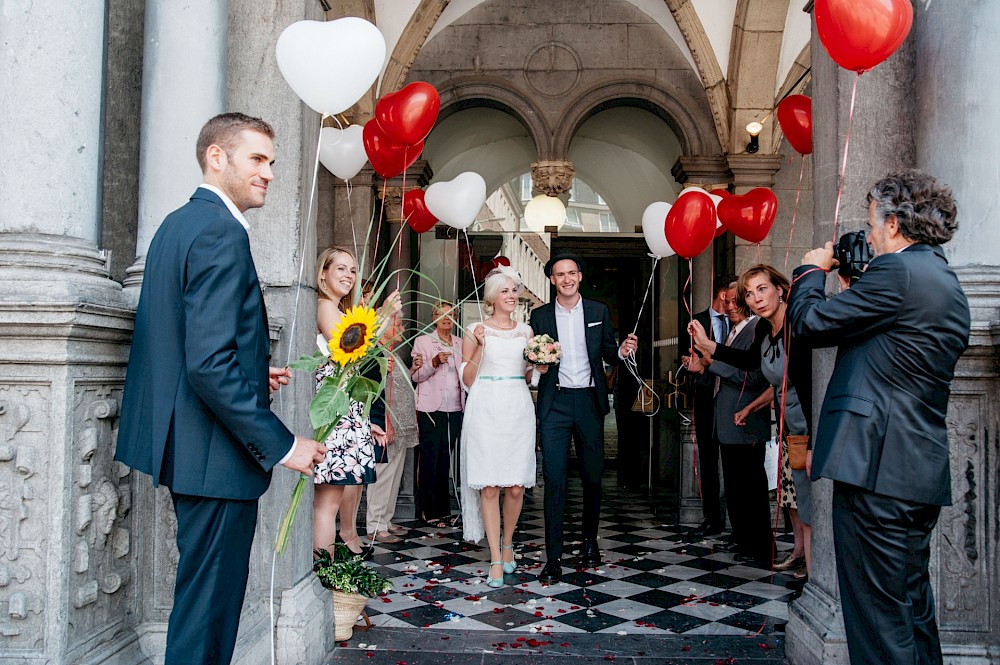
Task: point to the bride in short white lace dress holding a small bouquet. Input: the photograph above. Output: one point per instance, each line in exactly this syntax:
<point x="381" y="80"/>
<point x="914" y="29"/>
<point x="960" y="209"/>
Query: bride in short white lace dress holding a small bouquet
<point x="498" y="433"/>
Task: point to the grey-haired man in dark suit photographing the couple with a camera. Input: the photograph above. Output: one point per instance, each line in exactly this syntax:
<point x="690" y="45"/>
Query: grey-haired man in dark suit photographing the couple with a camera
<point x="882" y="436"/>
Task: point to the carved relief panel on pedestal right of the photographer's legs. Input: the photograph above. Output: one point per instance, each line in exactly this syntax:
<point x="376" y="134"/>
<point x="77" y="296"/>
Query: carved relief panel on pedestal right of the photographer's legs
<point x="961" y="584"/>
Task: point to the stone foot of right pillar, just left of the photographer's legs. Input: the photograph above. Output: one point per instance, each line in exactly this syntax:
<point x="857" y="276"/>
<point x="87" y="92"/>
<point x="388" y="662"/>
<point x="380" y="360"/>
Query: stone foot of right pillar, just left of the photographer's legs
<point x="815" y="630"/>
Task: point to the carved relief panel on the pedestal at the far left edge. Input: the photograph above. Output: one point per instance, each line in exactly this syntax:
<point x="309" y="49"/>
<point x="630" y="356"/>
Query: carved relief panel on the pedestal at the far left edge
<point x="24" y="510"/>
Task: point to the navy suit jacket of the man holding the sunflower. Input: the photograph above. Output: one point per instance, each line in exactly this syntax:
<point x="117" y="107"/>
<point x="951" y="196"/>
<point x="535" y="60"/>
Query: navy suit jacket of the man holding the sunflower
<point x="195" y="413"/>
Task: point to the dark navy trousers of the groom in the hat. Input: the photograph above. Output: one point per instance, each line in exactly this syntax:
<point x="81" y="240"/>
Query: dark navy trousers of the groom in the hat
<point x="573" y="415"/>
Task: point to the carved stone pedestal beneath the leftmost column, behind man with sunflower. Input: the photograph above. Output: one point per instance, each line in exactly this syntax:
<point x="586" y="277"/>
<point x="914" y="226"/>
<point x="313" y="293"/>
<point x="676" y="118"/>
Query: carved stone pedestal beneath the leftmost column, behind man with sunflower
<point x="68" y="581"/>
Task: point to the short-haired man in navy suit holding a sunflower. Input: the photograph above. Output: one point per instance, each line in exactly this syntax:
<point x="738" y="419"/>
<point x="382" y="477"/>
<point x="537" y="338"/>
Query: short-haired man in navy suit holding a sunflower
<point x="195" y="413"/>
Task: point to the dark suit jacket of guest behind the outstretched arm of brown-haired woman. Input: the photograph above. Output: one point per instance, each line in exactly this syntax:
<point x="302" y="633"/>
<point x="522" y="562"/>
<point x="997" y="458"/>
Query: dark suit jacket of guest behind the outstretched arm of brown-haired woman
<point x="737" y="388"/>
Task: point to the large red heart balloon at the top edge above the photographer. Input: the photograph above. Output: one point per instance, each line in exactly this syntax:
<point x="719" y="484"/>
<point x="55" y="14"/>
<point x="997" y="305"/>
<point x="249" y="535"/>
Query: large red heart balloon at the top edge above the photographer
<point x="859" y="34"/>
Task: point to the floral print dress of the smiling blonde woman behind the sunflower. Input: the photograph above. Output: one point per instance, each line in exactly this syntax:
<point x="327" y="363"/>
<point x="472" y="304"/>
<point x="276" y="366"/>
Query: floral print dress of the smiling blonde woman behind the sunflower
<point x="350" y="449"/>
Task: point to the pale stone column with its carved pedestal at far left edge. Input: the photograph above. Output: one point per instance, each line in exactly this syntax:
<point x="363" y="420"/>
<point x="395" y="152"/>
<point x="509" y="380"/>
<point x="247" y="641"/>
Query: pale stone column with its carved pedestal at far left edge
<point x="67" y="565"/>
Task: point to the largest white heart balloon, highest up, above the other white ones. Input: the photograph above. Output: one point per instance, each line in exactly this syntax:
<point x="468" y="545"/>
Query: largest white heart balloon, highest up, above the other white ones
<point x="330" y="64"/>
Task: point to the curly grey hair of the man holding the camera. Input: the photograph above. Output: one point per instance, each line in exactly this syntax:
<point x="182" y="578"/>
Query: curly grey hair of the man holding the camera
<point x="923" y="206"/>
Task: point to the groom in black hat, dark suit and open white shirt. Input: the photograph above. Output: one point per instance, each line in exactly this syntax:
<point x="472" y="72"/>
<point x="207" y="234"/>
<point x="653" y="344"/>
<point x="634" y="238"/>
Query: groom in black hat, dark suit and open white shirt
<point x="572" y="404"/>
